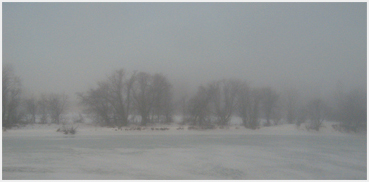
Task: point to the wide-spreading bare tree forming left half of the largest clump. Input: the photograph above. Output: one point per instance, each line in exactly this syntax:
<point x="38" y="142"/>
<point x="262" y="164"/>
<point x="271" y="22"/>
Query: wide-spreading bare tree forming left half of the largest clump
<point x="110" y="103"/>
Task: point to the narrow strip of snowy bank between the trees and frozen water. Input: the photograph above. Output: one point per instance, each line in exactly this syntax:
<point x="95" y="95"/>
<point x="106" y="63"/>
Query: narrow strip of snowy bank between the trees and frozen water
<point x="91" y="129"/>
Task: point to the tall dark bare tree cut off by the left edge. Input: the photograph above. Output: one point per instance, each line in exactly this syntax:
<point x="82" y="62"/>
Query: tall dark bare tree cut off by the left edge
<point x="11" y="97"/>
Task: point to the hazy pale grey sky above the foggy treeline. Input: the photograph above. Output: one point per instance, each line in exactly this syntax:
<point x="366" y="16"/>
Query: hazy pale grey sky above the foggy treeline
<point x="67" y="47"/>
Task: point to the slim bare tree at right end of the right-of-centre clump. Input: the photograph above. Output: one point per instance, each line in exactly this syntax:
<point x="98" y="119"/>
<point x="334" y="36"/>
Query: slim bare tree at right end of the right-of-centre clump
<point x="269" y="102"/>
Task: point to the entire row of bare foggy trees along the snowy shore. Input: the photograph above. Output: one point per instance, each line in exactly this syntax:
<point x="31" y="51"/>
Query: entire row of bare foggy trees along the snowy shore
<point x="124" y="98"/>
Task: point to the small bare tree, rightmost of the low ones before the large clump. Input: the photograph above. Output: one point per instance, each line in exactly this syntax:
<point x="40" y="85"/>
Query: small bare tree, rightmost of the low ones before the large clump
<point x="57" y="104"/>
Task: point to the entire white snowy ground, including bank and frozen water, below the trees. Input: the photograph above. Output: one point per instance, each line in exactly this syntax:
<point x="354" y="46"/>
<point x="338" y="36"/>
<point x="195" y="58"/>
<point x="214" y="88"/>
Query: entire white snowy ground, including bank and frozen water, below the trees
<point x="277" y="152"/>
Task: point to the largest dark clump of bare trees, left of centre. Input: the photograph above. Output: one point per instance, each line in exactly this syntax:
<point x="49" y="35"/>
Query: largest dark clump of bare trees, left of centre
<point x="121" y="97"/>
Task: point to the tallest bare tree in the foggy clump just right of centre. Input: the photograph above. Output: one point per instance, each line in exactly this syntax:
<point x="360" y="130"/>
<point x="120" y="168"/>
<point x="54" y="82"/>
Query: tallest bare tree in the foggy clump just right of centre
<point x="225" y="99"/>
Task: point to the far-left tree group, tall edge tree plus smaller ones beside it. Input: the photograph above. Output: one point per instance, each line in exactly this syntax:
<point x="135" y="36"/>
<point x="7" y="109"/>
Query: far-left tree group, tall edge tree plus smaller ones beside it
<point x="18" y="110"/>
